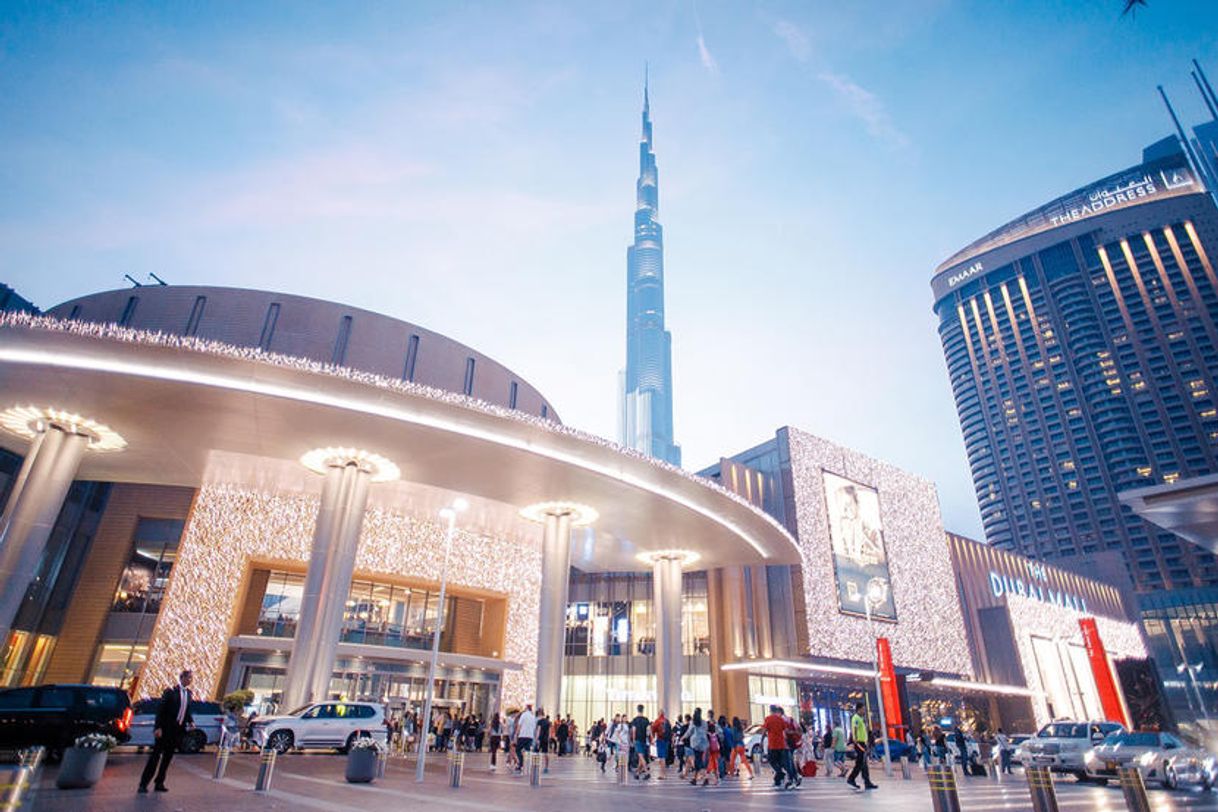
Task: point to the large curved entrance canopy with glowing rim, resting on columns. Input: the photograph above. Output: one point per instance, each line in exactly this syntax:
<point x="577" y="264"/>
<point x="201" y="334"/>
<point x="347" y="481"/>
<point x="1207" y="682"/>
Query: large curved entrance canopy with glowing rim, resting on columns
<point x="178" y="402"/>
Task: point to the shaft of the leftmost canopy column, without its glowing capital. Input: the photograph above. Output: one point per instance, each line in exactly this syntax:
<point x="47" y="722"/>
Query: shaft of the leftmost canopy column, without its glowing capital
<point x="37" y="499"/>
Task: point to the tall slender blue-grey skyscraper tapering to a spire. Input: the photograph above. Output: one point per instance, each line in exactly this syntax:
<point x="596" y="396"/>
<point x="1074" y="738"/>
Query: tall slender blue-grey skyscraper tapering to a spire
<point x="646" y="410"/>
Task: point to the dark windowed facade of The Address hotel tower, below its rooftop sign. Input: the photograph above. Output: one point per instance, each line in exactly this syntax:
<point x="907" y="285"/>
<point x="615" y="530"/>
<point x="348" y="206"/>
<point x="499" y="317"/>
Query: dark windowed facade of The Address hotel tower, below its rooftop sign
<point x="1088" y="368"/>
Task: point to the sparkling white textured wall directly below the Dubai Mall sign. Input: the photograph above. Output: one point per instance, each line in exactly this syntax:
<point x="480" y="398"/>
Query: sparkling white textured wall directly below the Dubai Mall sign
<point x="1033" y="618"/>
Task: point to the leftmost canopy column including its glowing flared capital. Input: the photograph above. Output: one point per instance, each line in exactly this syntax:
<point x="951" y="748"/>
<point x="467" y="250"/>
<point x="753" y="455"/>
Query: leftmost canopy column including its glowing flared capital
<point x="59" y="443"/>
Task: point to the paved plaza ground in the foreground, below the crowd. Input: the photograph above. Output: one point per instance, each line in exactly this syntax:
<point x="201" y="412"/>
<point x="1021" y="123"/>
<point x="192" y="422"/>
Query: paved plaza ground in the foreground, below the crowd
<point x="316" y="783"/>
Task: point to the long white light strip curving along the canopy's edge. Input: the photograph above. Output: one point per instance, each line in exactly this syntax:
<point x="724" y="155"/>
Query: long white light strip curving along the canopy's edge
<point x="169" y="373"/>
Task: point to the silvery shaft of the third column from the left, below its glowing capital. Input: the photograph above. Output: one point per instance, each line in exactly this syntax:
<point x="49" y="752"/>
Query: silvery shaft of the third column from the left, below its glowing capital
<point x="556" y="568"/>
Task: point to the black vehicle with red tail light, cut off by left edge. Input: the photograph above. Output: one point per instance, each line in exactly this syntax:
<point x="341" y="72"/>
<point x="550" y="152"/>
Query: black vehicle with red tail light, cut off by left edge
<point x="55" y="716"/>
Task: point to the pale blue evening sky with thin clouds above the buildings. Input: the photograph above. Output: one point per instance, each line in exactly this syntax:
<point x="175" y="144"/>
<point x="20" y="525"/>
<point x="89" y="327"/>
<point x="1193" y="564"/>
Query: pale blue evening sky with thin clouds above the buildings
<point x="471" y="169"/>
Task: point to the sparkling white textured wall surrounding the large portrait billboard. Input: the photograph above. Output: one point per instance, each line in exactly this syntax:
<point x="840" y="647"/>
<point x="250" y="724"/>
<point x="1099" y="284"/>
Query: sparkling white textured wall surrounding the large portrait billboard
<point x="930" y="631"/>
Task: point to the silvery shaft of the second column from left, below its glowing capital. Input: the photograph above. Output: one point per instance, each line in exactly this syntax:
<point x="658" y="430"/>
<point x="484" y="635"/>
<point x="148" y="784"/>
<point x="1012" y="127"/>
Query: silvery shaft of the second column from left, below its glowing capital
<point x="332" y="563"/>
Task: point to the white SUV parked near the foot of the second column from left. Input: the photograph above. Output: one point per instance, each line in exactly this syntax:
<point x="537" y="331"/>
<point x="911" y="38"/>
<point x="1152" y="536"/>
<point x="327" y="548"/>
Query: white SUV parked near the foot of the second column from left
<point x="321" y="726"/>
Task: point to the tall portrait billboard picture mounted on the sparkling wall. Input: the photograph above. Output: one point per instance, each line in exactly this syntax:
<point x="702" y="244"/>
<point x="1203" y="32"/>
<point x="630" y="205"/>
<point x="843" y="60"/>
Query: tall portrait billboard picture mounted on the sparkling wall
<point x="858" y="537"/>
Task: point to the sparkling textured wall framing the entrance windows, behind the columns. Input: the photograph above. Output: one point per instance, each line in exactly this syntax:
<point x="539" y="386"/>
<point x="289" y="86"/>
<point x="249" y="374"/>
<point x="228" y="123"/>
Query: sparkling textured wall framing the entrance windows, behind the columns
<point x="231" y="524"/>
